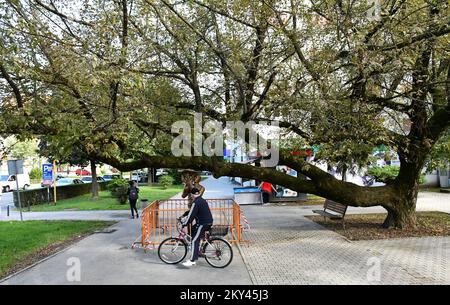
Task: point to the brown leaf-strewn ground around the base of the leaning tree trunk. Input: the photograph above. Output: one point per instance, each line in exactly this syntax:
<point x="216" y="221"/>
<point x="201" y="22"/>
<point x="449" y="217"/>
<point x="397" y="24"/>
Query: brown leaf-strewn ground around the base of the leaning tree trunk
<point x="368" y="227"/>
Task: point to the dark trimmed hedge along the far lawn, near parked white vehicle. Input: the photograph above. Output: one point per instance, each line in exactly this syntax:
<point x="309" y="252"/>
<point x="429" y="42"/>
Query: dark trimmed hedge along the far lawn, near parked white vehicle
<point x="40" y="196"/>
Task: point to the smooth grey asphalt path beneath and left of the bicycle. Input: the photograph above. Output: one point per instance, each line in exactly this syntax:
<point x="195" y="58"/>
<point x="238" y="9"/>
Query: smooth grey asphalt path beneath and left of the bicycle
<point x="109" y="259"/>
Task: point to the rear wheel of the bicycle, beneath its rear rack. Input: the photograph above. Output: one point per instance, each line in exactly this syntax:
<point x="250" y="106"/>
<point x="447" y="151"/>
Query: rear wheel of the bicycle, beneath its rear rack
<point x="218" y="252"/>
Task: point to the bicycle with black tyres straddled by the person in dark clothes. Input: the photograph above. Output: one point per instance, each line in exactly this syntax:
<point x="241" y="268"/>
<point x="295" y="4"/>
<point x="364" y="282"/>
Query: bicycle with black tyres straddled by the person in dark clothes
<point x="216" y="250"/>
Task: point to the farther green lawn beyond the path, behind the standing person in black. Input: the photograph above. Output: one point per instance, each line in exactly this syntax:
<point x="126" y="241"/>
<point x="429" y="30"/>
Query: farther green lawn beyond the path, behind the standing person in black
<point x="106" y="201"/>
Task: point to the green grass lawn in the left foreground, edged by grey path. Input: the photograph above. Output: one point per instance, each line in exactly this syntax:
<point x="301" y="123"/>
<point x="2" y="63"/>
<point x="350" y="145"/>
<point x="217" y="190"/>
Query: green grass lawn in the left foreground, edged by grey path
<point x="23" y="243"/>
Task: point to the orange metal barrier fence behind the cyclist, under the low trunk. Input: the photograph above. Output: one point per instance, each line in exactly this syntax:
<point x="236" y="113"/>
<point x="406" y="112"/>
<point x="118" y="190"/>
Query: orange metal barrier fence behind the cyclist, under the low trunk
<point x="159" y="219"/>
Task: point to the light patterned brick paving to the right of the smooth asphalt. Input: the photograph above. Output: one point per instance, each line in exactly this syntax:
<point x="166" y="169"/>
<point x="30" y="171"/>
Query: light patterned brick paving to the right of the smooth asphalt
<point x="286" y="248"/>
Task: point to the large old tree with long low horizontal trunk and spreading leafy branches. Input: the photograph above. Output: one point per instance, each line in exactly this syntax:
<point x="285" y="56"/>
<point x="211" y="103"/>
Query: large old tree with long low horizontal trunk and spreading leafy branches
<point x="112" y="76"/>
